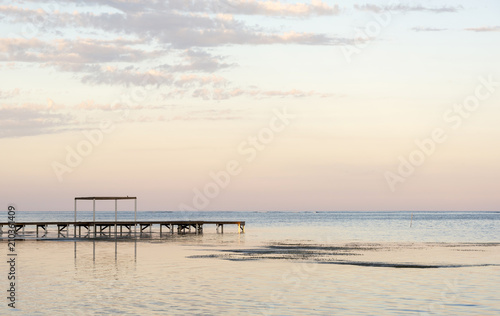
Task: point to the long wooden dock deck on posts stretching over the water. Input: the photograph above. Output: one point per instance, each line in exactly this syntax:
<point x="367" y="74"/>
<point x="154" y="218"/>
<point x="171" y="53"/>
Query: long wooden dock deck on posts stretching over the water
<point x="98" y="228"/>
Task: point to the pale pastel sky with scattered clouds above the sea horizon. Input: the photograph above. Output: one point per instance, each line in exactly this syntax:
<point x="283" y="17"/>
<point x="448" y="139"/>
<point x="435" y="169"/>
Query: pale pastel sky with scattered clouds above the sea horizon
<point x="251" y="105"/>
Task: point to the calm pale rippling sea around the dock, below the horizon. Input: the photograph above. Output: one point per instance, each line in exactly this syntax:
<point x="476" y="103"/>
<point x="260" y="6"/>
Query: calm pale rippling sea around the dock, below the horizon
<point x="285" y="263"/>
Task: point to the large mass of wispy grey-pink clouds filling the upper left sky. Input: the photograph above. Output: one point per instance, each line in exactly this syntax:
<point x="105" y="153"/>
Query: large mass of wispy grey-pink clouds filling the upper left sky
<point x="138" y="36"/>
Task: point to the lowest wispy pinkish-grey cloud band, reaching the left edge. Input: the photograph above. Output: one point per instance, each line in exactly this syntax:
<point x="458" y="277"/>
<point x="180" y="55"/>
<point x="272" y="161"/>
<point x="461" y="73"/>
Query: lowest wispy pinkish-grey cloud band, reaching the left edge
<point x="27" y="119"/>
